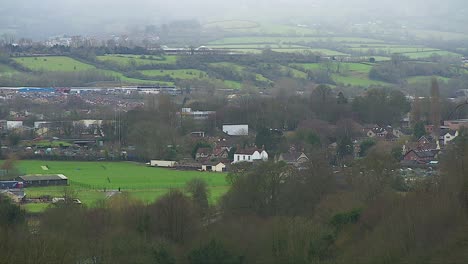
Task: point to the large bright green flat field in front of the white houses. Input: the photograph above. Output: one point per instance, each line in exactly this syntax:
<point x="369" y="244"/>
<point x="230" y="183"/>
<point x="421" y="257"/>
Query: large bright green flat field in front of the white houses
<point x="88" y="180"/>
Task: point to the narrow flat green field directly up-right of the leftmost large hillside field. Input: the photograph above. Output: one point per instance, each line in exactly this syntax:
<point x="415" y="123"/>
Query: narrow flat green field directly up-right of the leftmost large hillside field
<point x="124" y="60"/>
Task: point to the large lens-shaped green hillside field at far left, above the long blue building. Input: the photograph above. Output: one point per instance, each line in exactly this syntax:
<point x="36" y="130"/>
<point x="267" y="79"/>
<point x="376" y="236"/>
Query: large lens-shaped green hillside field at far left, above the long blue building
<point x="53" y="63"/>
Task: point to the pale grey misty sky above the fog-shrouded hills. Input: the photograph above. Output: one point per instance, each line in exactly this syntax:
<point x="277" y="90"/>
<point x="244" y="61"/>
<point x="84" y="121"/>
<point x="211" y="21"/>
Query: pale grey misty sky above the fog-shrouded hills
<point x="32" y="17"/>
